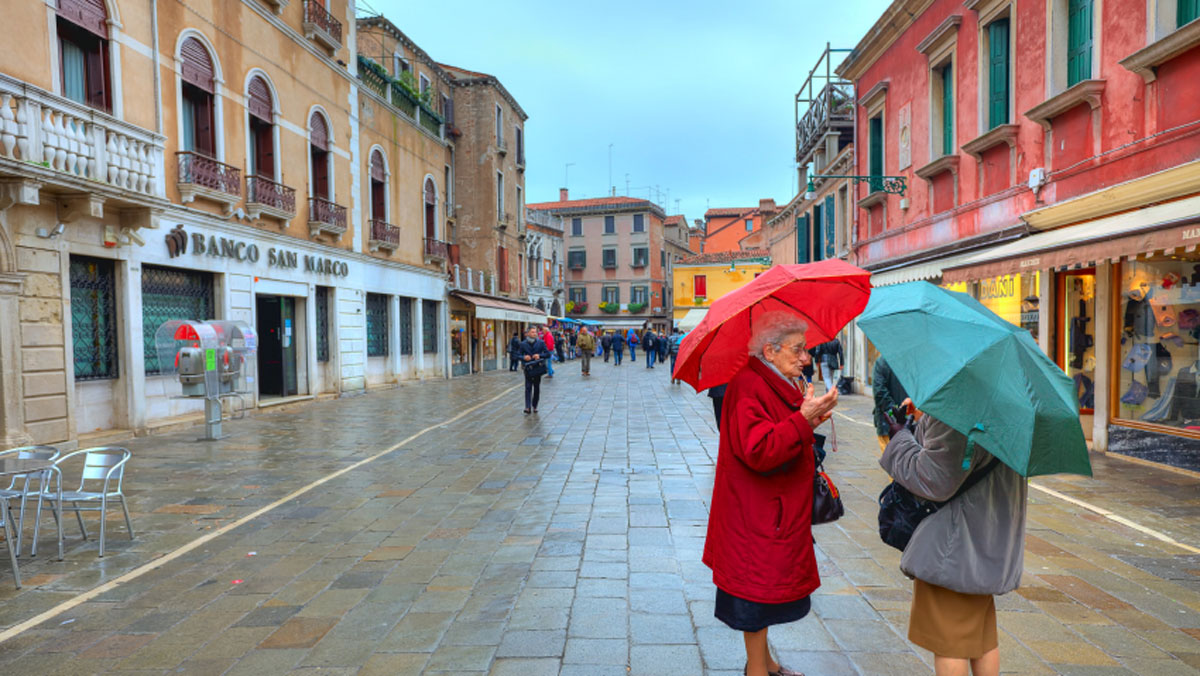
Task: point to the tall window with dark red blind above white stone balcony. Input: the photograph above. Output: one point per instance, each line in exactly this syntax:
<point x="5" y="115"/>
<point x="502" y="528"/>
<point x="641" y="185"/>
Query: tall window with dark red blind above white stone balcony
<point x="83" y="53"/>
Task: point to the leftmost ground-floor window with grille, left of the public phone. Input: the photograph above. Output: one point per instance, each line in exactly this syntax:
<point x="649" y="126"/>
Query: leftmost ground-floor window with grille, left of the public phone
<point x="94" y="319"/>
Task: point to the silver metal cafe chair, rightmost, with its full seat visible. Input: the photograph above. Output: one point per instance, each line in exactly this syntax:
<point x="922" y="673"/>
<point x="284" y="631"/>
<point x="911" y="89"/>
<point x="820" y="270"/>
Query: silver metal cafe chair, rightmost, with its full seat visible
<point x="101" y="465"/>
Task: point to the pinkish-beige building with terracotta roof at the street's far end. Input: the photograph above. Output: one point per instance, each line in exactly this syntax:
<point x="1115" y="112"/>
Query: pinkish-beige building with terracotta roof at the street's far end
<point x="616" y="260"/>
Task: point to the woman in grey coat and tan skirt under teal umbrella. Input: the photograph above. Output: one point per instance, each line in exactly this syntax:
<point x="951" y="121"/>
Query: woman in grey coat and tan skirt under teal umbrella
<point x="963" y="554"/>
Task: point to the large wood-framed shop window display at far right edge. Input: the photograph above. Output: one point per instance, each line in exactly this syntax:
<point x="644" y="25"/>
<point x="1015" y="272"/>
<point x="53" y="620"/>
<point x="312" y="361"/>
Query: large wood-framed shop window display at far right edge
<point x="1160" y="320"/>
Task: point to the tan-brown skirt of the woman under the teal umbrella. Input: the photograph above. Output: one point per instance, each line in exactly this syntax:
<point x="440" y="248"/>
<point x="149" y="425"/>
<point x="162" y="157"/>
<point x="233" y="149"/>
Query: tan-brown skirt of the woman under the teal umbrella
<point x="950" y="624"/>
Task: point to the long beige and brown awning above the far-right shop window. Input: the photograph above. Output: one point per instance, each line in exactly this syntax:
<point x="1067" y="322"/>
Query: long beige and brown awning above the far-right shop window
<point x="1160" y="229"/>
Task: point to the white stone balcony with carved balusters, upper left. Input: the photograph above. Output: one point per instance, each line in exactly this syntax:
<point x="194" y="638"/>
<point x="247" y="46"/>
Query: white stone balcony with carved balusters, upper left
<point x="53" y="145"/>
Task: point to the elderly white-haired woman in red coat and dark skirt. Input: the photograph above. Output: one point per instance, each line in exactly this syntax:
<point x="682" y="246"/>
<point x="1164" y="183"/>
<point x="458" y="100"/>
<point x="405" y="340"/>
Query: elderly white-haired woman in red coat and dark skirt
<point x="760" y="529"/>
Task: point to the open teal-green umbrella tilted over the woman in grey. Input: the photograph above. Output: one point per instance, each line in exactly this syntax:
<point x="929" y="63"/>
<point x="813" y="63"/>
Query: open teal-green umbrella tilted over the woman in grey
<point x="981" y="375"/>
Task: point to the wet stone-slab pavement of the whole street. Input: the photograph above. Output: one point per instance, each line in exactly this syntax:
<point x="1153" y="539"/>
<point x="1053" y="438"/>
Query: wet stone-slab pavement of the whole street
<point x="561" y="543"/>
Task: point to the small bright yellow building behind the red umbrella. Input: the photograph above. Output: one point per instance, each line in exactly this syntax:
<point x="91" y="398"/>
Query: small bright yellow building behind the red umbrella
<point x="700" y="280"/>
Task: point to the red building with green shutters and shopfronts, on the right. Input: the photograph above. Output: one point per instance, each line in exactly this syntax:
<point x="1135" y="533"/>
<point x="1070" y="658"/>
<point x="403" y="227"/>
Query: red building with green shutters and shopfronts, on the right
<point x="1049" y="157"/>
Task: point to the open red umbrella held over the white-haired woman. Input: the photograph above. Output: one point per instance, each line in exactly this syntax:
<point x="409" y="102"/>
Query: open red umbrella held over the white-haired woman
<point x="826" y="295"/>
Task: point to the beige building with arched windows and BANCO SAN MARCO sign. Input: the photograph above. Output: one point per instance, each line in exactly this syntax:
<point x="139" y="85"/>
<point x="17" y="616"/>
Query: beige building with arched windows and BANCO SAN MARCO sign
<point x="267" y="161"/>
